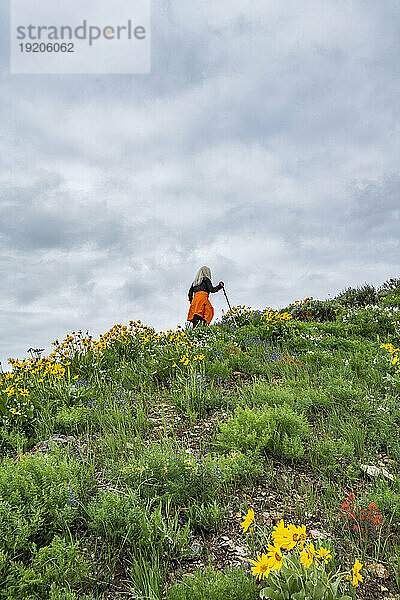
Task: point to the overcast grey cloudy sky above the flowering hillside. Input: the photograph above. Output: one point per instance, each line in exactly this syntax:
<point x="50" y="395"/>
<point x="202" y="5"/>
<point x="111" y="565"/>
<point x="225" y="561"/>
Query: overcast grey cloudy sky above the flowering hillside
<point x="264" y="143"/>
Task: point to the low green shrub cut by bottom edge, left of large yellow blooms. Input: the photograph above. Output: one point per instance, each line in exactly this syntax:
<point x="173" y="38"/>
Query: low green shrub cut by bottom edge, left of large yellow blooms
<point x="233" y="585"/>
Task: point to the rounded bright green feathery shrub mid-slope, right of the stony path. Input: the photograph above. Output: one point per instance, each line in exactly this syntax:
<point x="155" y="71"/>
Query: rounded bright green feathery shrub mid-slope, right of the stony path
<point x="276" y="429"/>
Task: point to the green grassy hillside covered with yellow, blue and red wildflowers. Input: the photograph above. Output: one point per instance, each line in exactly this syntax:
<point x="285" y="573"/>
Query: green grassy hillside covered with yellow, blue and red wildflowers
<point x="177" y="458"/>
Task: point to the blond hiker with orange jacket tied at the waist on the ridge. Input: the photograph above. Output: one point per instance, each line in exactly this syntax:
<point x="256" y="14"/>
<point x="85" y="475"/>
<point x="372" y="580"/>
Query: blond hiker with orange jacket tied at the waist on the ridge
<point x="200" y="310"/>
